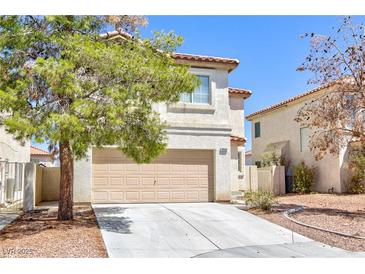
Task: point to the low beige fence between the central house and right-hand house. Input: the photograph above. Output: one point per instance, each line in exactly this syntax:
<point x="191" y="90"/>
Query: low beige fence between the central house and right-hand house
<point x="270" y="179"/>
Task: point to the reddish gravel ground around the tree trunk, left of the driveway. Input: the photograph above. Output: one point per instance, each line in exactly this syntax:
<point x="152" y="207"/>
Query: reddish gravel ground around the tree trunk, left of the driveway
<point x="40" y="234"/>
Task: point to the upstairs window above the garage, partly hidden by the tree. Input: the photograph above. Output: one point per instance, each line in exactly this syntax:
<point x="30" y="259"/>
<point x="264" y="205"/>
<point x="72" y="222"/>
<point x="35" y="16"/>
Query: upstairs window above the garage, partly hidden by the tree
<point x="201" y="94"/>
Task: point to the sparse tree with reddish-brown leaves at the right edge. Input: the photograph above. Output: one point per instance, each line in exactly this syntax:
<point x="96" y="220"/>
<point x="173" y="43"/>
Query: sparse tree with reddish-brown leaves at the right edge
<point x="337" y="116"/>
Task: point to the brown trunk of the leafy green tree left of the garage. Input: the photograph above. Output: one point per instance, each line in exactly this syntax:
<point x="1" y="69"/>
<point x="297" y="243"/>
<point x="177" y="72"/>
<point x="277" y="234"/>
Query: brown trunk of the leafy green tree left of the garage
<point x="65" y="204"/>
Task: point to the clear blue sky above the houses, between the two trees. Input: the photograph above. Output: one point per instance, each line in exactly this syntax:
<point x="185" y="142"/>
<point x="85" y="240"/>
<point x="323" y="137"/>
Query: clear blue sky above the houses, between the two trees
<point x="268" y="47"/>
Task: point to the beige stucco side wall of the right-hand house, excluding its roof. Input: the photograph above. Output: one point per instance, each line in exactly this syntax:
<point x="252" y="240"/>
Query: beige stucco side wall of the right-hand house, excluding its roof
<point x="278" y="126"/>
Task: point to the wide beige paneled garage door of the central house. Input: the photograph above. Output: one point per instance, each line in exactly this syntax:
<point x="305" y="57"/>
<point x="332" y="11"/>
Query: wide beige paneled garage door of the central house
<point x="176" y="176"/>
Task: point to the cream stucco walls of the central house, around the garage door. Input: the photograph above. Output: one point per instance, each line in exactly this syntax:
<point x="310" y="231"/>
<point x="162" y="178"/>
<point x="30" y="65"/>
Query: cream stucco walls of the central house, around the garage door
<point x="193" y="126"/>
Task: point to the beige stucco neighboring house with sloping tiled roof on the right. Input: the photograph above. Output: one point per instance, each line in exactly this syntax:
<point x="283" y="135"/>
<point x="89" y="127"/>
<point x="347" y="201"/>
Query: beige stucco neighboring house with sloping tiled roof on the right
<point x="274" y="130"/>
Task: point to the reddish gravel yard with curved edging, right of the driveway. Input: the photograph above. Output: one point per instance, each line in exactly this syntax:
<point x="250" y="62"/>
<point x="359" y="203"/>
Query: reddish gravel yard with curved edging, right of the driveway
<point x="343" y="213"/>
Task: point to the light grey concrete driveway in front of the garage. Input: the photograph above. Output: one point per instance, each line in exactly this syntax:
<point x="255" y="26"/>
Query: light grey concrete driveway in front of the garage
<point x="200" y="230"/>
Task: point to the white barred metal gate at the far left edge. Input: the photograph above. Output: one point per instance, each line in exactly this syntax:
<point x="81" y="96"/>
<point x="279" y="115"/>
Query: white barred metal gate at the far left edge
<point x="11" y="186"/>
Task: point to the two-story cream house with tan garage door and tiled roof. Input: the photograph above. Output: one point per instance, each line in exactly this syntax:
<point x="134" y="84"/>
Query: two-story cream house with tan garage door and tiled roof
<point x="205" y="156"/>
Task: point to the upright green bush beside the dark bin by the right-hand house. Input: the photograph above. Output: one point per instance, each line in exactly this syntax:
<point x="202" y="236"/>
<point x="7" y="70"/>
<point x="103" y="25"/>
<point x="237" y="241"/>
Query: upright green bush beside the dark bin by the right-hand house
<point x="303" y="178"/>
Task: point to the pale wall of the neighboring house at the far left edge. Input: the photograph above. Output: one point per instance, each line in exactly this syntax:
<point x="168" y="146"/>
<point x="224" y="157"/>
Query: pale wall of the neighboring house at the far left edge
<point x="12" y="150"/>
